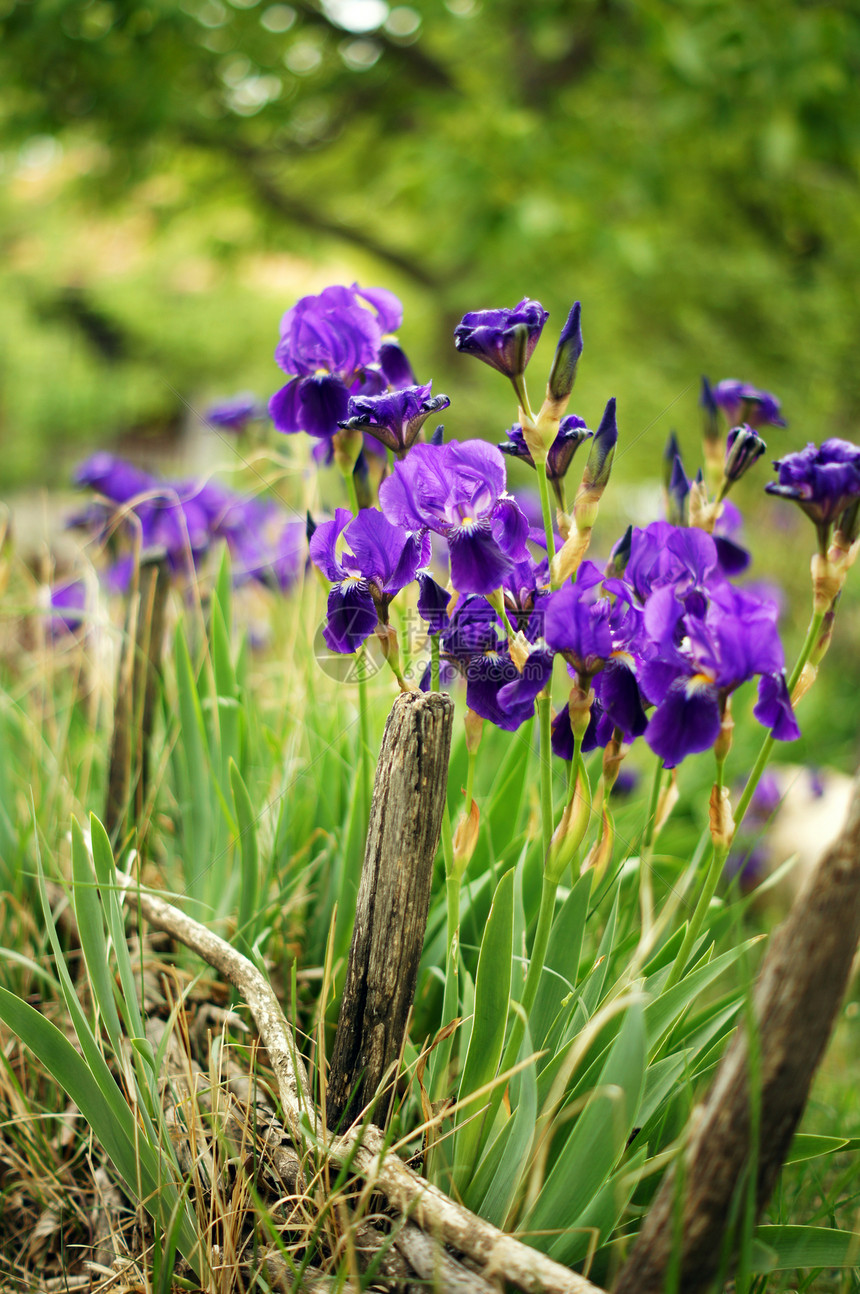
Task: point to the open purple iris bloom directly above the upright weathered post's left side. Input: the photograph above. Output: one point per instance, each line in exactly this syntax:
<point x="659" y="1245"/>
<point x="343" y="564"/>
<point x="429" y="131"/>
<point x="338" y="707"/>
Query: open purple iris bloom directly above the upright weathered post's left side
<point x="377" y="562"/>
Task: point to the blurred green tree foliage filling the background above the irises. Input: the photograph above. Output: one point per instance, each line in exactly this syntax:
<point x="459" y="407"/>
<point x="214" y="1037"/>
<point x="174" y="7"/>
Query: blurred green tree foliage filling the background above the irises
<point x="689" y="170"/>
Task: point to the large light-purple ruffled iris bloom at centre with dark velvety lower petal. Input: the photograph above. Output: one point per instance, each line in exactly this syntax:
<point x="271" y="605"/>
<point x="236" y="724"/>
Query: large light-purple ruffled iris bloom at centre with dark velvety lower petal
<point x="458" y="491"/>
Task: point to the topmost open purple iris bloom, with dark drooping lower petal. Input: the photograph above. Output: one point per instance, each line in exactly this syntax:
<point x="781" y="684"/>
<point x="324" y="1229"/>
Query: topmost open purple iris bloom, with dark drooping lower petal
<point x="332" y="344"/>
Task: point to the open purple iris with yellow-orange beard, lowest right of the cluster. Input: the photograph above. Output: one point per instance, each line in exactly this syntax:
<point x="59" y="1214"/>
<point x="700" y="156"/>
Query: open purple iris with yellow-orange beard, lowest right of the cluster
<point x="696" y="661"/>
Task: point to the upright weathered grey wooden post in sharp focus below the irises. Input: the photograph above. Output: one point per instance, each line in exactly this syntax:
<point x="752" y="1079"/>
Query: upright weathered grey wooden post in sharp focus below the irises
<point x="394" y="900"/>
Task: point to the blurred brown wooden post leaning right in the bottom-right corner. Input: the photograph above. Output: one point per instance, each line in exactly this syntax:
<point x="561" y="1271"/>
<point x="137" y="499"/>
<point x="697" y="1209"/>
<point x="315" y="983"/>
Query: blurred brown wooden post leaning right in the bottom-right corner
<point x="797" y="997"/>
